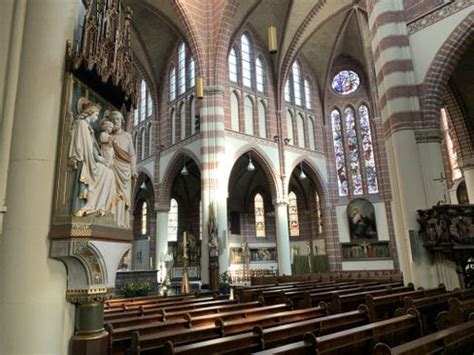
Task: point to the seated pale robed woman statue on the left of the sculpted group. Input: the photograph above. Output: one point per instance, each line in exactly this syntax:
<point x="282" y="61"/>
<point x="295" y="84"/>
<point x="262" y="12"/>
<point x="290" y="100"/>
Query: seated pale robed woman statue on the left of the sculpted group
<point x="95" y="187"/>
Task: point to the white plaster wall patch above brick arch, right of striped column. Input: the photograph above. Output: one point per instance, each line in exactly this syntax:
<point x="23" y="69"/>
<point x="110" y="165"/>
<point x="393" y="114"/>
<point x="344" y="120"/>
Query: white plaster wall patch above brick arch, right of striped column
<point x="426" y="43"/>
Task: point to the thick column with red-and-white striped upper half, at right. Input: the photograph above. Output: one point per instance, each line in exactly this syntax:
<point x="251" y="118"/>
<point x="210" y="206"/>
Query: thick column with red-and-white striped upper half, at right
<point x="411" y="178"/>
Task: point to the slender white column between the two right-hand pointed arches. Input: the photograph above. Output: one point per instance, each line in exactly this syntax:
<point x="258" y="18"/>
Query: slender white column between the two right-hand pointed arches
<point x="283" y="238"/>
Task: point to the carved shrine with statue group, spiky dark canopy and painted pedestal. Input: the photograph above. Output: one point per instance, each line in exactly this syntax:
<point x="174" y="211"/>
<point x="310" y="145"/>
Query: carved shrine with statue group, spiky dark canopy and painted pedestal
<point x="91" y="223"/>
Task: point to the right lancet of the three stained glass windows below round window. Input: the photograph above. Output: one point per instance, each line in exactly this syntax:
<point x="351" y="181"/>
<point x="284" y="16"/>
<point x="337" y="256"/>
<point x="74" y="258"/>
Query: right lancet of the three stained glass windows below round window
<point x="368" y="149"/>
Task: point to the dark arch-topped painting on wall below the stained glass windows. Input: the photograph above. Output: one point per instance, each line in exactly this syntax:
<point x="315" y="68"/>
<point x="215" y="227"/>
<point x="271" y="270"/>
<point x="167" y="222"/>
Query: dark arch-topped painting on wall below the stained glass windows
<point x="361" y="215"/>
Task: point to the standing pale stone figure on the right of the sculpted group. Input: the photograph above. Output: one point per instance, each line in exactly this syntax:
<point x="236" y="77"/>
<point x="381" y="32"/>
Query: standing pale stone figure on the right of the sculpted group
<point x="124" y="169"/>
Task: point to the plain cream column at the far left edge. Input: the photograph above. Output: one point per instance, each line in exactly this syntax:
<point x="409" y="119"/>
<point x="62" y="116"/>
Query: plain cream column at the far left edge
<point x="35" y="316"/>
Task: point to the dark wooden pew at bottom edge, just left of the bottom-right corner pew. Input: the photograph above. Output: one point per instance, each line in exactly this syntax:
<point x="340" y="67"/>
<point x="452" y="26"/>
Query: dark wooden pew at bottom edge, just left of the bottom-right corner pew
<point x="358" y="340"/>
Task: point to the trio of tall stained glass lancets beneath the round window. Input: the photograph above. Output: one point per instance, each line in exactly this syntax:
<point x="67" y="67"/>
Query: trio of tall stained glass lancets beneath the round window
<point x="354" y="151"/>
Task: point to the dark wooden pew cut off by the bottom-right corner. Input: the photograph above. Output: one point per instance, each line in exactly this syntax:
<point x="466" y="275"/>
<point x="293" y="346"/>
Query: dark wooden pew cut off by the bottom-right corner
<point x="454" y="340"/>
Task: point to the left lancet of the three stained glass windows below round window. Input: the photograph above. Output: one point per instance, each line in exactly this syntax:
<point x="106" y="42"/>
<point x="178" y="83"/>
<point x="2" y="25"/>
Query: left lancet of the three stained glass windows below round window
<point x="339" y="153"/>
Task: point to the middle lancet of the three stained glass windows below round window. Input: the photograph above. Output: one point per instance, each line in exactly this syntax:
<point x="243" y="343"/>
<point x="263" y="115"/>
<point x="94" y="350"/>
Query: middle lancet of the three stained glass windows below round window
<point x="353" y="148"/>
